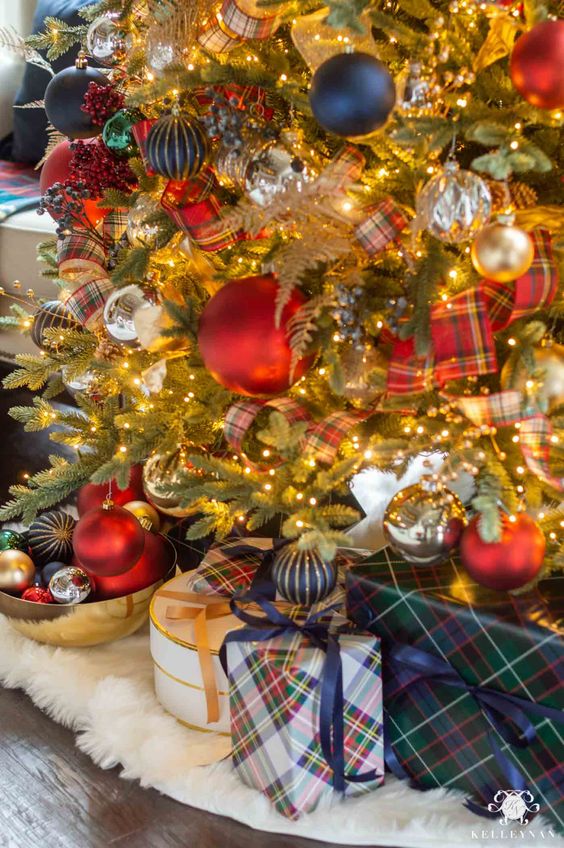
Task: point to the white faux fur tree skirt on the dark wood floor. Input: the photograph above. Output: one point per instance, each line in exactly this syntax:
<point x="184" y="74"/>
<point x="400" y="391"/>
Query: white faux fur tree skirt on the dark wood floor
<point x="106" y="696"/>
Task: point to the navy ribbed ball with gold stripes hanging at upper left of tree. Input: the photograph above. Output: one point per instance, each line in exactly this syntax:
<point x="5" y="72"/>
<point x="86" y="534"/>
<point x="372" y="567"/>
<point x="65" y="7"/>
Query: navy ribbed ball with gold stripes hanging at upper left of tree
<point x="177" y="147"/>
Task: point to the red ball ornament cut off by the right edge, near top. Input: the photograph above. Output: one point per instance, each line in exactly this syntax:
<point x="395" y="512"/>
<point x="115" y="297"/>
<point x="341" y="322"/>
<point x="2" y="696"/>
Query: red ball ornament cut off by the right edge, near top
<point x="537" y="65"/>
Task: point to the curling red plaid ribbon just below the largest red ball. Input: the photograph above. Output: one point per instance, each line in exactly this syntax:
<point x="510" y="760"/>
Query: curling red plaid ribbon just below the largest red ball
<point x="322" y="439"/>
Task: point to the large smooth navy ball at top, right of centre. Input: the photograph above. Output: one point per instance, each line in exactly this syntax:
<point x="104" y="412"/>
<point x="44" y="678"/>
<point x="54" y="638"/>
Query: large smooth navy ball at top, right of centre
<point x="352" y="94"/>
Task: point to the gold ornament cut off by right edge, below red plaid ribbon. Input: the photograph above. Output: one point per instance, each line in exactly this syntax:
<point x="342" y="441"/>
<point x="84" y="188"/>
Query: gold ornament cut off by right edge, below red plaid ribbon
<point x="546" y="383"/>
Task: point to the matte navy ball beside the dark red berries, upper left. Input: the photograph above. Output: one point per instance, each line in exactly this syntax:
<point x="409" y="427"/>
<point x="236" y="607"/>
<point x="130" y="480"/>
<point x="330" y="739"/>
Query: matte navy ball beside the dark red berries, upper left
<point x="64" y="97"/>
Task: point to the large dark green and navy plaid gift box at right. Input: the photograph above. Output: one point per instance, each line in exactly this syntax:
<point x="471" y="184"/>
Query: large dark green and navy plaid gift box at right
<point x="508" y="643"/>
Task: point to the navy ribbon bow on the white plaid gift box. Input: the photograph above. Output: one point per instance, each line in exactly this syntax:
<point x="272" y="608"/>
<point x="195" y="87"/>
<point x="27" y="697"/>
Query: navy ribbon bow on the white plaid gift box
<point x="331" y="720"/>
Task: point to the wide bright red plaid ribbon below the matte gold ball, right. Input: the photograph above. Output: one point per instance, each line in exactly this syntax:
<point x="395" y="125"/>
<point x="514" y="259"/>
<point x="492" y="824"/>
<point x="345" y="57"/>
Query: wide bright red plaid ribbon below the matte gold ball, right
<point x="462" y="329"/>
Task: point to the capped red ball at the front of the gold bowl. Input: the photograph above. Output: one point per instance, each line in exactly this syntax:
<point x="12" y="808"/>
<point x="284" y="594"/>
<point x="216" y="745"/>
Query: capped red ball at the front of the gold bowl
<point x="108" y="540"/>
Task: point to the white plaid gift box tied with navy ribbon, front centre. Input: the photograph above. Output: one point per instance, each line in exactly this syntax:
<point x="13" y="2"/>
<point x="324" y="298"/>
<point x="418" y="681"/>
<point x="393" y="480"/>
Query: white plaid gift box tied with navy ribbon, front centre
<point x="277" y="689"/>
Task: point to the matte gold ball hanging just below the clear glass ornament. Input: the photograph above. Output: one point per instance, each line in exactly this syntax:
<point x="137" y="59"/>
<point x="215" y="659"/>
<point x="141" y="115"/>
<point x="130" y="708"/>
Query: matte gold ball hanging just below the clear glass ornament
<point x="502" y="252"/>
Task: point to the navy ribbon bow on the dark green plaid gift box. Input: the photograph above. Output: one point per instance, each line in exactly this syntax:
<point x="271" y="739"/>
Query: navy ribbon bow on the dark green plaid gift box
<point x="499" y="708"/>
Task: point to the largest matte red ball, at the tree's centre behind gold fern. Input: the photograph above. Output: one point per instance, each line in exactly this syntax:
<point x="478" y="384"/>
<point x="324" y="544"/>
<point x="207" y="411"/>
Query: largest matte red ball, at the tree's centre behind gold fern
<point x="240" y="344"/>
